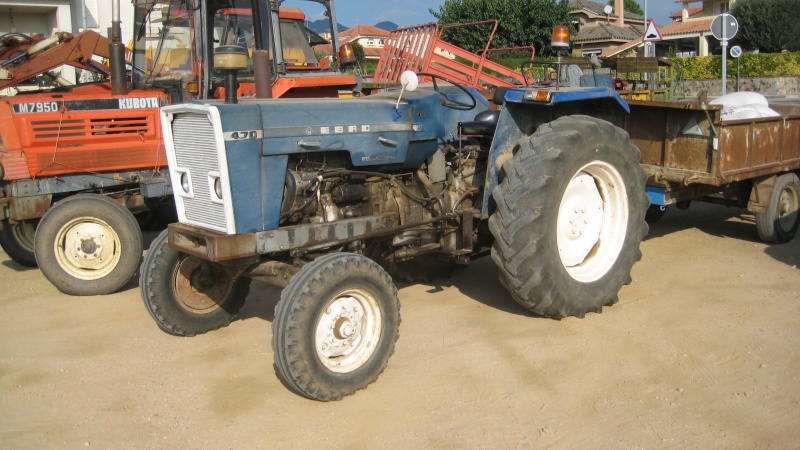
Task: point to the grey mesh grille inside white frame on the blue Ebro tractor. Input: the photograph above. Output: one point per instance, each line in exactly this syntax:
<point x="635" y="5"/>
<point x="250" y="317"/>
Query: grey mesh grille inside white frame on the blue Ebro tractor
<point x="196" y="150"/>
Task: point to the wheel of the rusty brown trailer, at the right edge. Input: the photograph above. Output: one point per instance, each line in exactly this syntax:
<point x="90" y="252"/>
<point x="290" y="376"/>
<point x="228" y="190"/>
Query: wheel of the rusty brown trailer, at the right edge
<point x="782" y="218"/>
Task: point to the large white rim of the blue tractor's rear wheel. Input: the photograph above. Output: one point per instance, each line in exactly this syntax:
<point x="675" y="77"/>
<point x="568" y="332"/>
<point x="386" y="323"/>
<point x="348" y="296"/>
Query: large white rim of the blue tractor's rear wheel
<point x="592" y="221"/>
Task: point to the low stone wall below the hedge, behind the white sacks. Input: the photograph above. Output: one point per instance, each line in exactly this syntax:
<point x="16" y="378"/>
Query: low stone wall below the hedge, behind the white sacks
<point x="769" y="86"/>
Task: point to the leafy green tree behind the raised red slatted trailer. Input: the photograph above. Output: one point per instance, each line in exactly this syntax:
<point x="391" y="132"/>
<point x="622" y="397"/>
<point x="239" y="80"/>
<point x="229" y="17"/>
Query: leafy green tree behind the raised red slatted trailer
<point x="521" y="22"/>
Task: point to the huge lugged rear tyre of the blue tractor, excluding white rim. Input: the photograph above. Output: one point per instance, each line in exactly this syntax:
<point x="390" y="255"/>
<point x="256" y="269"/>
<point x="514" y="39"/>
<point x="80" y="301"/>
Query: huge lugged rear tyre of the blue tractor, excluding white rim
<point x="527" y="201"/>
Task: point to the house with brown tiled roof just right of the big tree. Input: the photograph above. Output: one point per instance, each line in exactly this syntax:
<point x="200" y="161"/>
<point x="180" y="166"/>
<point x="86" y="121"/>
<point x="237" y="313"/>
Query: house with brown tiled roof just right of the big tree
<point x="601" y="27"/>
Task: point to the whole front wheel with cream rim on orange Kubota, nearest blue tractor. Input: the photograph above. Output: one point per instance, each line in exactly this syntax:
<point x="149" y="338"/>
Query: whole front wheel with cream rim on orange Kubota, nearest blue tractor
<point x="88" y="245"/>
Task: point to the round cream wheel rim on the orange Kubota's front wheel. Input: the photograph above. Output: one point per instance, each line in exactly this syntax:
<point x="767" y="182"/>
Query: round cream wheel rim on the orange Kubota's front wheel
<point x="87" y="248"/>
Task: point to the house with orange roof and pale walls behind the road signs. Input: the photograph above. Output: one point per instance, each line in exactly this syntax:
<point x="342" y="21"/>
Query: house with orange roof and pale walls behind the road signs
<point x="690" y="32"/>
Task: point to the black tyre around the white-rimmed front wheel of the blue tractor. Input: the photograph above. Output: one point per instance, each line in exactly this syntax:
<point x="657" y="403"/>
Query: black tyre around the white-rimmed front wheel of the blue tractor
<point x="290" y="340"/>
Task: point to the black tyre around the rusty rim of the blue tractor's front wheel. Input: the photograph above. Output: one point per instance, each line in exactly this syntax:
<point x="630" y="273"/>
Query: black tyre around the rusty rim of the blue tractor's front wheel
<point x="155" y="283"/>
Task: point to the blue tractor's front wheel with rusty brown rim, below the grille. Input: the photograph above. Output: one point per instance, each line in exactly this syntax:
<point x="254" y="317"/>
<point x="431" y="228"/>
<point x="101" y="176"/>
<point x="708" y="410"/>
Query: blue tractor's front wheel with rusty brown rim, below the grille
<point x="187" y="295"/>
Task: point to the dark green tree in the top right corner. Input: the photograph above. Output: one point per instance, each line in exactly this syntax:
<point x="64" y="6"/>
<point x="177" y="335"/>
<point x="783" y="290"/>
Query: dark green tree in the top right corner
<point x="768" y="25"/>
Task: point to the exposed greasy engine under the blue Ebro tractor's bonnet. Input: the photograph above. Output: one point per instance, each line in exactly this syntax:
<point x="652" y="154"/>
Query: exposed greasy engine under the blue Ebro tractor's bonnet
<point x="325" y="188"/>
